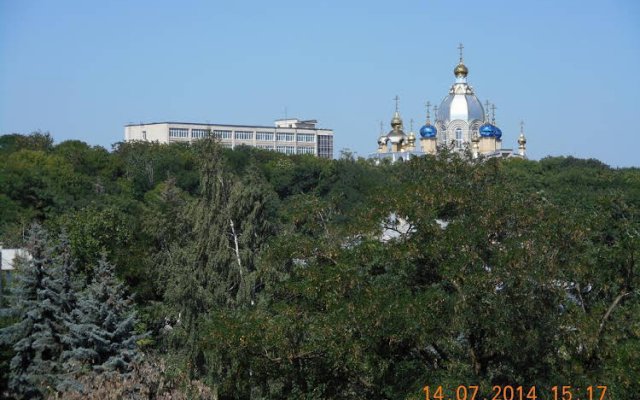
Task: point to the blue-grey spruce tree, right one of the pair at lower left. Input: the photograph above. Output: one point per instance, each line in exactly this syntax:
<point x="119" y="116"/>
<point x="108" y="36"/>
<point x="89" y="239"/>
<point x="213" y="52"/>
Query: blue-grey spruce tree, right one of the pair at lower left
<point x="101" y="327"/>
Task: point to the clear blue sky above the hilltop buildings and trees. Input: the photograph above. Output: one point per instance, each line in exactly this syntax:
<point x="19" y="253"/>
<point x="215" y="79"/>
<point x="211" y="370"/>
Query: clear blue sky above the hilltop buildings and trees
<point x="83" y="69"/>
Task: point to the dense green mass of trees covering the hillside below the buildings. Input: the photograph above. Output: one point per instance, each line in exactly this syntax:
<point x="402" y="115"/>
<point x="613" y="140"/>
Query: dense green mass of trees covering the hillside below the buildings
<point x="261" y="275"/>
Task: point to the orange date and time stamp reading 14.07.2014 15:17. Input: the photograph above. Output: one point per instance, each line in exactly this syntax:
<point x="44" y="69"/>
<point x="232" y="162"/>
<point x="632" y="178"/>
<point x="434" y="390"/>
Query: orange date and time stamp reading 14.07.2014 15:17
<point x="509" y="392"/>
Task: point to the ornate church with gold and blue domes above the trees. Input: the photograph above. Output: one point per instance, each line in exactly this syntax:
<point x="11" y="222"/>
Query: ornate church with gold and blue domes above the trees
<point x="461" y="124"/>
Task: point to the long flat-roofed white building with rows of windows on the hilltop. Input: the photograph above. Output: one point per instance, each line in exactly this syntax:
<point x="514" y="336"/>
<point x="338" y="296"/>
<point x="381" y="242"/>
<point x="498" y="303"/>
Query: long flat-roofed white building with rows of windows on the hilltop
<point x="289" y="136"/>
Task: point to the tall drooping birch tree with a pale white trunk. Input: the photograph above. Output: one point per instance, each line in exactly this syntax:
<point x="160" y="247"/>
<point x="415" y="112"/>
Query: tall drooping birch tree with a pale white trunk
<point x="213" y="267"/>
